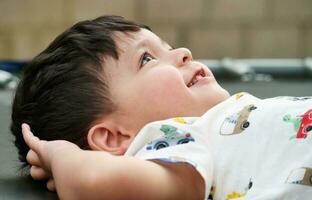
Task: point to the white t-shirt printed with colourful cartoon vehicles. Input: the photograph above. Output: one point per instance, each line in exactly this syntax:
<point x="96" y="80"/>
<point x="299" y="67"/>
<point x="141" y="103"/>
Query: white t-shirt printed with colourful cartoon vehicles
<point x="244" y="147"/>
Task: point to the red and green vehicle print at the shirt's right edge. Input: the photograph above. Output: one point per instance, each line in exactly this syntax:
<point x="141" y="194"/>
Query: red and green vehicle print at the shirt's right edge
<point x="302" y="124"/>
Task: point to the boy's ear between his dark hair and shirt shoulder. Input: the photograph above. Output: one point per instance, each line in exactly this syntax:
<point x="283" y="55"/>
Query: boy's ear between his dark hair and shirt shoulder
<point x="101" y="137"/>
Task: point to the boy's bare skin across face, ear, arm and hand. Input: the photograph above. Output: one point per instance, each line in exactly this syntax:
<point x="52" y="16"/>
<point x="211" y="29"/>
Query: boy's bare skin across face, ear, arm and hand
<point x="148" y="82"/>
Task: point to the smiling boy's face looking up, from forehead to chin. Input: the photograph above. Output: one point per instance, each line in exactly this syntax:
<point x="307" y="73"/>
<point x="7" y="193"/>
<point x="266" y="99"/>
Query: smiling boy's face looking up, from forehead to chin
<point x="151" y="81"/>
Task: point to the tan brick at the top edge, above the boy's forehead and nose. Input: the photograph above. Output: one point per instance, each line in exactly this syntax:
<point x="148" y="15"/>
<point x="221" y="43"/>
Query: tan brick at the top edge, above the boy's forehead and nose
<point x="168" y="11"/>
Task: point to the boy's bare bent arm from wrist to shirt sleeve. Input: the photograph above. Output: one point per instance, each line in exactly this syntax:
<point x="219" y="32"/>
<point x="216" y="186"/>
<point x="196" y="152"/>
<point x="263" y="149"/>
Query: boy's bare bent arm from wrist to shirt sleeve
<point x="97" y="175"/>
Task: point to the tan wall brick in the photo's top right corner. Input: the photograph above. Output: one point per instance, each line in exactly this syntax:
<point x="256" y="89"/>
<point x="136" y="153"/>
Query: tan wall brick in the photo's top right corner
<point x="293" y="10"/>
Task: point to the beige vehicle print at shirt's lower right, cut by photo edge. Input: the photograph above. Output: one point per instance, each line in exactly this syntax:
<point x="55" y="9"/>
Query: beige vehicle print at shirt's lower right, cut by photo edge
<point x="300" y="176"/>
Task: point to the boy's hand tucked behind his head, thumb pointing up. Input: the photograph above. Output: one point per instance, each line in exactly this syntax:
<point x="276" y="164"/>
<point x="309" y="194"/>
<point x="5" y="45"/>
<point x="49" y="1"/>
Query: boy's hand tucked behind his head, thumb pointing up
<point x="41" y="155"/>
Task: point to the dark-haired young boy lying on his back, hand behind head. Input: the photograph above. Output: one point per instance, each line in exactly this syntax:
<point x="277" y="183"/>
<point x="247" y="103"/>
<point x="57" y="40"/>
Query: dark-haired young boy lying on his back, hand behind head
<point x="100" y="82"/>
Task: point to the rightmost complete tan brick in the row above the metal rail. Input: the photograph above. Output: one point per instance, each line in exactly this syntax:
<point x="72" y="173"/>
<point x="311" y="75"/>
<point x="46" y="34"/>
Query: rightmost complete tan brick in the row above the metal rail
<point x="274" y="42"/>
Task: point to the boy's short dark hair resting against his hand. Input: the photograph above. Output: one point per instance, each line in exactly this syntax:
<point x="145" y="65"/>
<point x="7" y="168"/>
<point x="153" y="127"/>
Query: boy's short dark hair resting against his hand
<point x="63" y="90"/>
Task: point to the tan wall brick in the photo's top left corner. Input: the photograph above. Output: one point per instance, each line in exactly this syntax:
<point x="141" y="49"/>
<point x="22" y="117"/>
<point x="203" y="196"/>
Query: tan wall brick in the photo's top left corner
<point x="31" y="12"/>
